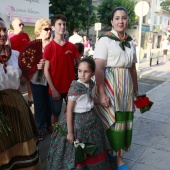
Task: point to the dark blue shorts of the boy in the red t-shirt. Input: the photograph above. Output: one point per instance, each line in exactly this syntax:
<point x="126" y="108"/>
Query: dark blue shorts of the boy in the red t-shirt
<point x="56" y="105"/>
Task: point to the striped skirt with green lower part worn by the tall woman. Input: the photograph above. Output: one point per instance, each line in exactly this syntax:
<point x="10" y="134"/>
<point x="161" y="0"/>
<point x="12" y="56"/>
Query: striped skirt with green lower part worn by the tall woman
<point x="117" y="118"/>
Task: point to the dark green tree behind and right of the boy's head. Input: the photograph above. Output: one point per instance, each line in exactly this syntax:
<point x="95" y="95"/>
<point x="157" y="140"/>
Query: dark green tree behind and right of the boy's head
<point x="79" y="13"/>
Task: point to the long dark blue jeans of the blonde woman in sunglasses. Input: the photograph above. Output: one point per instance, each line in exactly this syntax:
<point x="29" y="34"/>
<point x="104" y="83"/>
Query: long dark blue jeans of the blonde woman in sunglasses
<point x="42" y="107"/>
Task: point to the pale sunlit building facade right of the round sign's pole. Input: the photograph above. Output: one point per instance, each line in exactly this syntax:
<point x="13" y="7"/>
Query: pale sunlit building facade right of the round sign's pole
<point x="155" y="23"/>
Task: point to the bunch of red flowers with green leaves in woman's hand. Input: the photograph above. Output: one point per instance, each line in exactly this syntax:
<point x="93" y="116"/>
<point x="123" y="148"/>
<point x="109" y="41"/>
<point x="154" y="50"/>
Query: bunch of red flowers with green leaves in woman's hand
<point x="143" y="103"/>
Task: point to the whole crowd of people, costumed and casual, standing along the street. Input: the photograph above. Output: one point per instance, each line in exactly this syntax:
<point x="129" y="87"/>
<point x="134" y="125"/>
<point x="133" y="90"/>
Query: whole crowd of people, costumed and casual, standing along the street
<point x="78" y="140"/>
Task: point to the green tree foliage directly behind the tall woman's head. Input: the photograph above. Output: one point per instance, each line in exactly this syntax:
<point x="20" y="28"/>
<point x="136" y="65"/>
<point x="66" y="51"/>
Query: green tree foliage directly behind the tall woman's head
<point x="105" y="10"/>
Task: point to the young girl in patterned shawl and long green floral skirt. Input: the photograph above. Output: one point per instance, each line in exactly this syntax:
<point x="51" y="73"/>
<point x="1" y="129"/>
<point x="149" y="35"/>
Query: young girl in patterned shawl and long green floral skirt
<point x="80" y="123"/>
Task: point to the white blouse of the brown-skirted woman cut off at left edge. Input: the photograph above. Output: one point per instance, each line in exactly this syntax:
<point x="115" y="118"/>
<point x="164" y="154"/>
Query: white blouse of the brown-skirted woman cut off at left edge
<point x="11" y="79"/>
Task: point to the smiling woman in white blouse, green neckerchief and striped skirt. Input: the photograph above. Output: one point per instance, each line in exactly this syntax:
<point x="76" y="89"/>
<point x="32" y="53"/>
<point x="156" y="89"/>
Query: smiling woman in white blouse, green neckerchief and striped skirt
<point x="116" y="80"/>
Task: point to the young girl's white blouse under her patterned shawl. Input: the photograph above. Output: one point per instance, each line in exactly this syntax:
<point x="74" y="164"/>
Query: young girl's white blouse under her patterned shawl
<point x="83" y="102"/>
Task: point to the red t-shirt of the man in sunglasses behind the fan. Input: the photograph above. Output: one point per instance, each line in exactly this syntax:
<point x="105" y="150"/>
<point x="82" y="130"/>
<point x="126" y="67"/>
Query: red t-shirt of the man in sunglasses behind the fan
<point x="18" y="41"/>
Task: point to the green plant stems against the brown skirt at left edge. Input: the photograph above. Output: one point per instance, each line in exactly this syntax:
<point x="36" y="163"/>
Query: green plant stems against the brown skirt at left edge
<point x="4" y="128"/>
